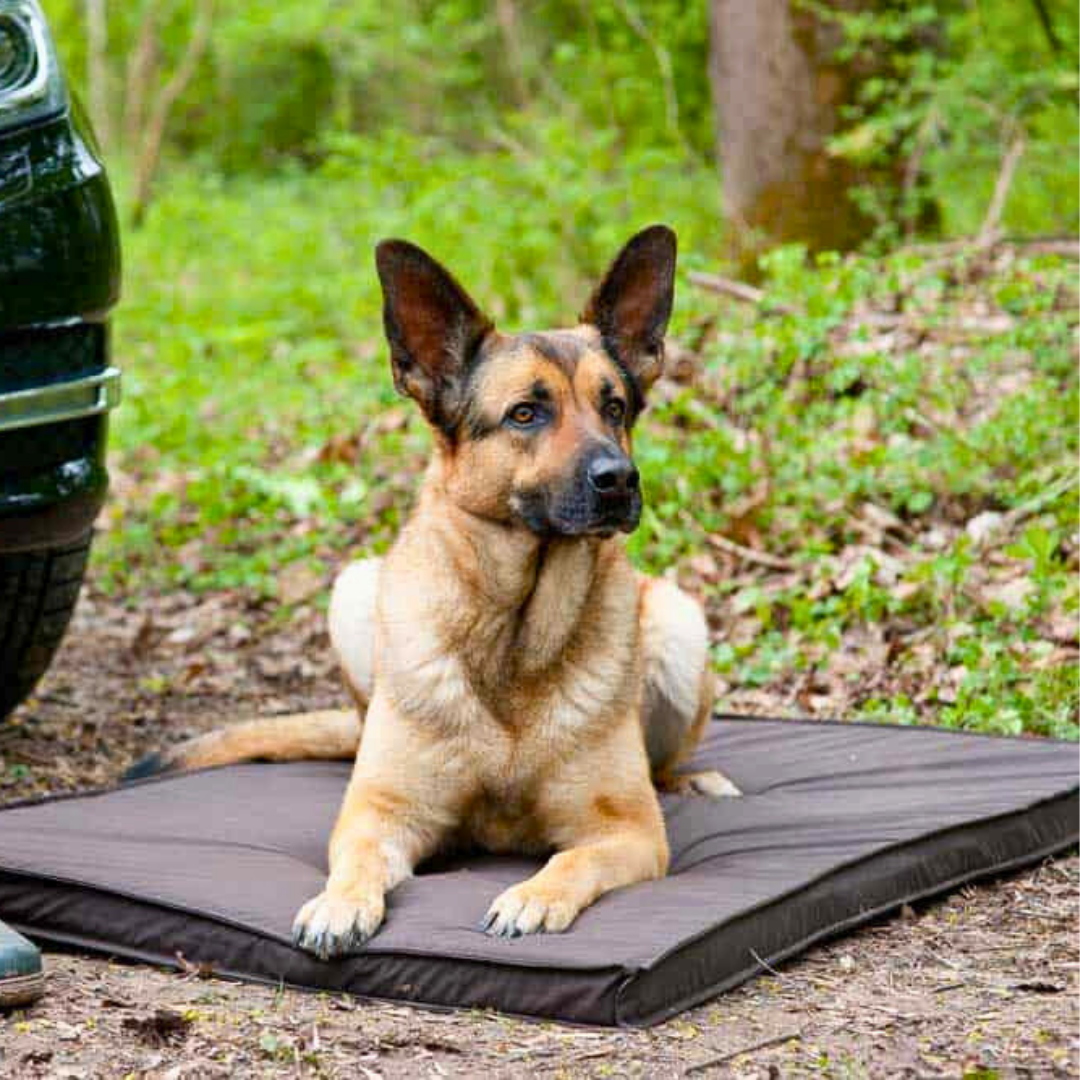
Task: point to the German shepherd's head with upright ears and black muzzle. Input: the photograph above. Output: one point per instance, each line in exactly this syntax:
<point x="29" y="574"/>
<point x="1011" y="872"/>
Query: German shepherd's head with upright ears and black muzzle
<point x="535" y="429"/>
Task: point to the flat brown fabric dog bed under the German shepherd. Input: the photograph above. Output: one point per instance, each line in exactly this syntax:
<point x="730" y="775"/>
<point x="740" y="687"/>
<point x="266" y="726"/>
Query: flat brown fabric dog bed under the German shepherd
<point x="839" y="825"/>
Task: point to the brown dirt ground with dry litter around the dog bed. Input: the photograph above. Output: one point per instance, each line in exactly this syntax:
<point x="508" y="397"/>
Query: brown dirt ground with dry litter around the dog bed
<point x="981" y="984"/>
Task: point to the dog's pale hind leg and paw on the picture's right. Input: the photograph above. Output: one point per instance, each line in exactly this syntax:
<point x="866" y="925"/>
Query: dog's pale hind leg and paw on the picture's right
<point x="678" y="698"/>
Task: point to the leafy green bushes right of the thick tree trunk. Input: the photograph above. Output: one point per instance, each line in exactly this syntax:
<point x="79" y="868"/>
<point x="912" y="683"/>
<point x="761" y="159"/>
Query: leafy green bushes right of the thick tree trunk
<point x="965" y="82"/>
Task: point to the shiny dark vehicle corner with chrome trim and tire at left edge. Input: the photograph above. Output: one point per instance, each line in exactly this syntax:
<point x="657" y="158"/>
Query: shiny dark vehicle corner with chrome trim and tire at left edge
<point x="60" y="275"/>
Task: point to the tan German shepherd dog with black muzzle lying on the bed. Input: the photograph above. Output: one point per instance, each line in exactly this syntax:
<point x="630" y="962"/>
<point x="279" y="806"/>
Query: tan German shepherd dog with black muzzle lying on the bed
<point x="520" y="687"/>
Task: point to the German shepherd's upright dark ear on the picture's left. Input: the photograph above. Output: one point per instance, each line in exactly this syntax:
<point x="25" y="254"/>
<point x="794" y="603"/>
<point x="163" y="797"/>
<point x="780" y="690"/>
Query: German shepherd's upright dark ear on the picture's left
<point x="433" y="326"/>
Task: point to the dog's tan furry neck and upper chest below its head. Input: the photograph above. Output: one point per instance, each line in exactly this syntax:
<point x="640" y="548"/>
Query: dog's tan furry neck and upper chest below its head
<point x="518" y="686"/>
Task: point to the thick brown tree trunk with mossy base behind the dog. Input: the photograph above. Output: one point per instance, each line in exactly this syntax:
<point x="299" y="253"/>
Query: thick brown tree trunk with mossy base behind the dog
<point x="778" y="91"/>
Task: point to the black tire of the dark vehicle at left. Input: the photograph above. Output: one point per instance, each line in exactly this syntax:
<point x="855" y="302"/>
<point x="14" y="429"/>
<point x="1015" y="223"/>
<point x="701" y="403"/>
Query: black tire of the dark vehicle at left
<point x="38" y="592"/>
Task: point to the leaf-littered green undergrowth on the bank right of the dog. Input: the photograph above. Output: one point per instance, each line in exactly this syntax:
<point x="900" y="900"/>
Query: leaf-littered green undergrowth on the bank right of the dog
<point x="825" y="433"/>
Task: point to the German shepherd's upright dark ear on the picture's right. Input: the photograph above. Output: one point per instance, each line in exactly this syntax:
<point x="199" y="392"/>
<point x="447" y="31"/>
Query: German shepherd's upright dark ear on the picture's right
<point x="633" y="303"/>
